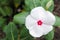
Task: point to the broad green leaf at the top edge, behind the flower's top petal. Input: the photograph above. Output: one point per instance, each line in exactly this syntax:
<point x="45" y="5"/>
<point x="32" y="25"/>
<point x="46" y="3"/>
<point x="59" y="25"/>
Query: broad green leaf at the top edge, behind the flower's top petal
<point x="30" y="4"/>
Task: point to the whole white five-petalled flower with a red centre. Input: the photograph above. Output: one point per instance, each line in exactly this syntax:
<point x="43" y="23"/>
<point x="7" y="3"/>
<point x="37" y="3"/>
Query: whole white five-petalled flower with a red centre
<point x="39" y="22"/>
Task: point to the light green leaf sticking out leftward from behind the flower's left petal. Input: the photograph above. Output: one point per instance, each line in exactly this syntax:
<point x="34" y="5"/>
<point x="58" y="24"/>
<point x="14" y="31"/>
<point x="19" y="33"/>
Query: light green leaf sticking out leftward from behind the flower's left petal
<point x="20" y="18"/>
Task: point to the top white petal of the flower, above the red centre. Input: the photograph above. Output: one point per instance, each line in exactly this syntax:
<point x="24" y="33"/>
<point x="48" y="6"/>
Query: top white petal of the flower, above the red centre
<point x="39" y="13"/>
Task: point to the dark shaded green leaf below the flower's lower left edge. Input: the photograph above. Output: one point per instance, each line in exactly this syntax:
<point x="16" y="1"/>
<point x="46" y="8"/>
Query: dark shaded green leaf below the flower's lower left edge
<point x="24" y="33"/>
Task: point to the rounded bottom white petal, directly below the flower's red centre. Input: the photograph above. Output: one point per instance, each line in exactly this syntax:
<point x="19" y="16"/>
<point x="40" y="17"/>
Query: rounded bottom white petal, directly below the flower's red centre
<point x="36" y="31"/>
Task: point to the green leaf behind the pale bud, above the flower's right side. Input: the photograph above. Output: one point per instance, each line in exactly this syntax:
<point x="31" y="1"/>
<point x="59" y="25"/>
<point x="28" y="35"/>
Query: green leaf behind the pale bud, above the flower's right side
<point x="45" y="2"/>
